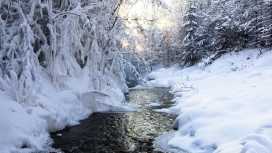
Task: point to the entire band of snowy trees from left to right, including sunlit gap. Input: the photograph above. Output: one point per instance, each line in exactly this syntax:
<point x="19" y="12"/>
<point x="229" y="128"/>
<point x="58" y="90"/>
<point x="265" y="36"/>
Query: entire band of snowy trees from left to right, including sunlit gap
<point x="63" y="36"/>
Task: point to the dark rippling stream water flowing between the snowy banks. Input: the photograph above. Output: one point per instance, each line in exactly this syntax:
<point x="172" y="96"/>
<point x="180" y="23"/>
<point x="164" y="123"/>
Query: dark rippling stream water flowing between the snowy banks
<point x="120" y="132"/>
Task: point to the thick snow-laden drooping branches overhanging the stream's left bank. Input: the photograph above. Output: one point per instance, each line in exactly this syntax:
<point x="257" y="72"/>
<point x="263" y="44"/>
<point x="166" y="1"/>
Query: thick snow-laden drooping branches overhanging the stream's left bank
<point x="61" y="37"/>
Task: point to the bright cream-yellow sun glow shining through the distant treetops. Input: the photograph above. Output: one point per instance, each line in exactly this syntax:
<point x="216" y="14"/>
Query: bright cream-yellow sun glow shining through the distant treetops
<point x="141" y="16"/>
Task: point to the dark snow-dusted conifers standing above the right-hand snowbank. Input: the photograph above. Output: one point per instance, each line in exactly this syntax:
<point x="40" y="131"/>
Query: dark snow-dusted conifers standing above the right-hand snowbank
<point x="212" y="28"/>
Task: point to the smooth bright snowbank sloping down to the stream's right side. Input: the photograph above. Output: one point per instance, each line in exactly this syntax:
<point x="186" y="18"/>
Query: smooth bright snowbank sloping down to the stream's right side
<point x="225" y="107"/>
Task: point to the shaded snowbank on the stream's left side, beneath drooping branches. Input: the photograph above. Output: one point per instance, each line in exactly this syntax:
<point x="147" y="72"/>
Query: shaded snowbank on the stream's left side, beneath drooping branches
<point x="26" y="128"/>
